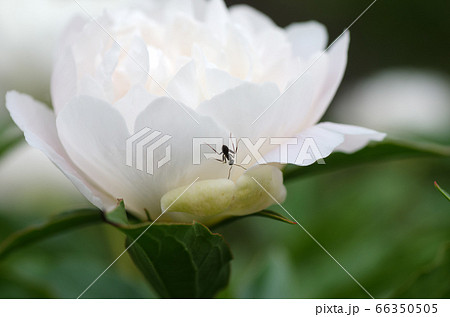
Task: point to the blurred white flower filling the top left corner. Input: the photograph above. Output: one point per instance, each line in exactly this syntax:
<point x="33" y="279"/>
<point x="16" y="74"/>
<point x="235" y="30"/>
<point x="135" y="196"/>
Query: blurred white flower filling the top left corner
<point x="28" y="32"/>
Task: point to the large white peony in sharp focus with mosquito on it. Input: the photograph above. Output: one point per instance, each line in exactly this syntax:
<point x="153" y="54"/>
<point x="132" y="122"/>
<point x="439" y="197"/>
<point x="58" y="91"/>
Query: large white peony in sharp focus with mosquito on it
<point x="190" y="69"/>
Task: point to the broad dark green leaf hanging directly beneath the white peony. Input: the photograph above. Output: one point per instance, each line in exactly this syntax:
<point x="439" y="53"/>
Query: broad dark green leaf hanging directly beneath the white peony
<point x="178" y="260"/>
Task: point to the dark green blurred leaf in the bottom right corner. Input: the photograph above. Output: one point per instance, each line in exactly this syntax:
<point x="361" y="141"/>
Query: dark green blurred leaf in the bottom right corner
<point x="431" y="282"/>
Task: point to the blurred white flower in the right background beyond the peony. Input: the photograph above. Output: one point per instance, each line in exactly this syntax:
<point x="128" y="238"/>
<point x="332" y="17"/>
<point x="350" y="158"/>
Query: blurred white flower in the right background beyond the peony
<point x="398" y="101"/>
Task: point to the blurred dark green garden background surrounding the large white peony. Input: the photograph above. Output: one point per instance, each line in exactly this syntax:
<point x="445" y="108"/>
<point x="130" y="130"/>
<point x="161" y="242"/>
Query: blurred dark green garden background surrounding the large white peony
<point x="384" y="222"/>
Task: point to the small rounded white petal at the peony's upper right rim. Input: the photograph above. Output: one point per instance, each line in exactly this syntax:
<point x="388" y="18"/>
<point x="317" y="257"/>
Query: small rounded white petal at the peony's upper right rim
<point x="307" y="38"/>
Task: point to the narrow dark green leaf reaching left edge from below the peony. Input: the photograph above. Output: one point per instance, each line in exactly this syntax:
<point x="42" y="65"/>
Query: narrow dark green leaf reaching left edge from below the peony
<point x="56" y="225"/>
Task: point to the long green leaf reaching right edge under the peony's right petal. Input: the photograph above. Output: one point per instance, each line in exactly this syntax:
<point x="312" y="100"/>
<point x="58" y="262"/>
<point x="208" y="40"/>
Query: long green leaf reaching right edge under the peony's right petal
<point x="388" y="149"/>
